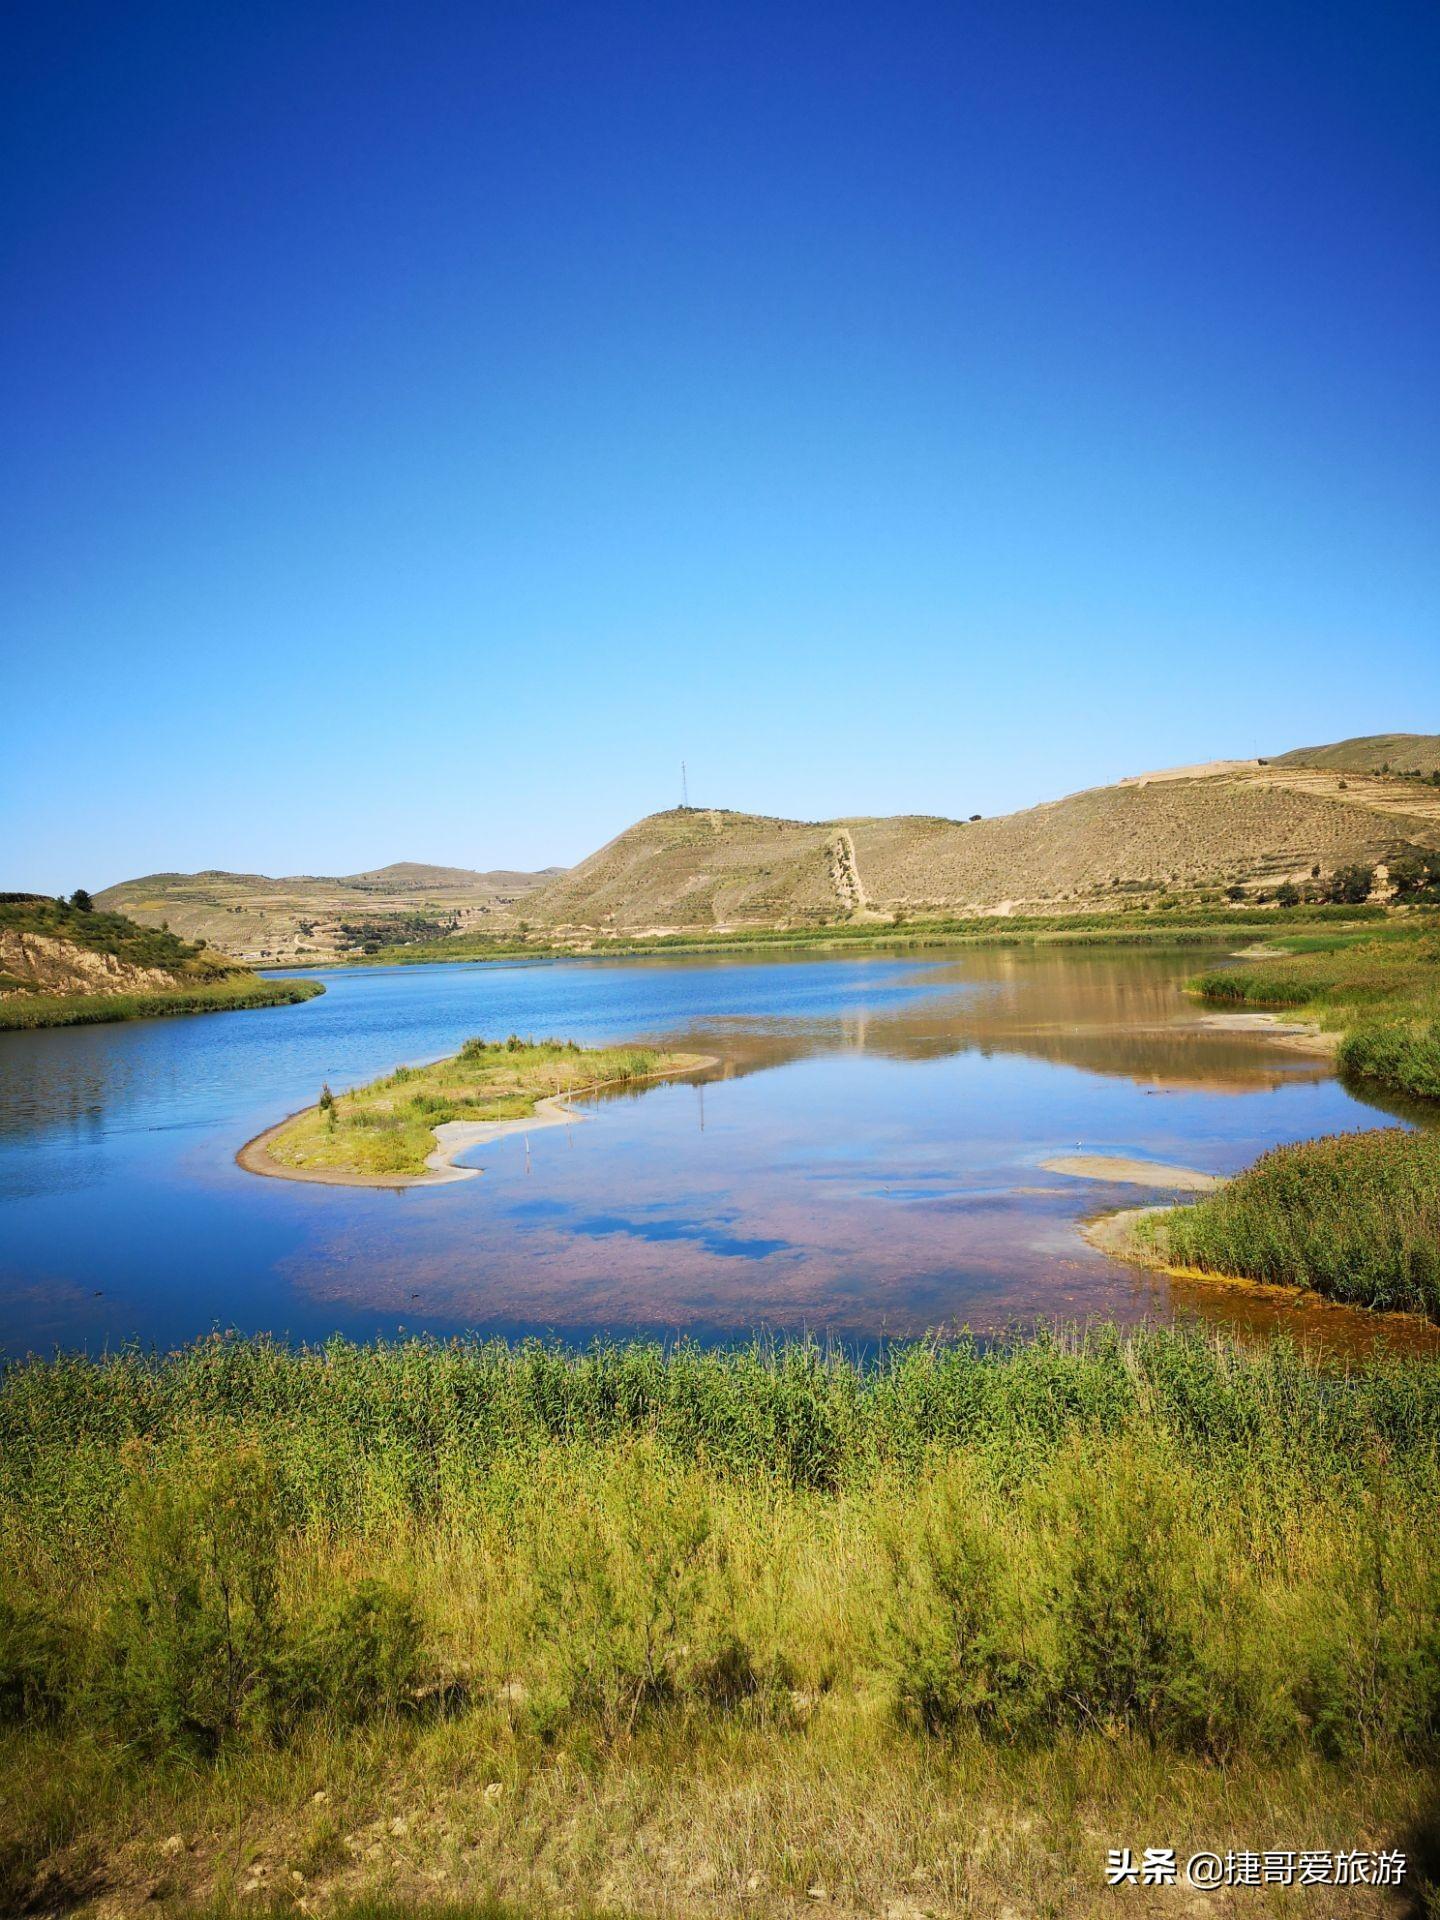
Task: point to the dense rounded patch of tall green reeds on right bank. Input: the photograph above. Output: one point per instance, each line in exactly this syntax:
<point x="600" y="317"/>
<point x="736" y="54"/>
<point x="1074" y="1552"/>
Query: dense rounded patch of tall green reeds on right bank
<point x="1355" y="1216"/>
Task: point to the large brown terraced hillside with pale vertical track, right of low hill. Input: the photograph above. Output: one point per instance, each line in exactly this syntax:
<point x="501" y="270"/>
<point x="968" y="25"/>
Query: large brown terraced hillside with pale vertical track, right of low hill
<point x="1247" y="825"/>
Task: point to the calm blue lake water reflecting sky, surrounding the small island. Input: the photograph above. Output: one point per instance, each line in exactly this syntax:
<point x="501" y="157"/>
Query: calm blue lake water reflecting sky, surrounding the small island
<point x="863" y="1161"/>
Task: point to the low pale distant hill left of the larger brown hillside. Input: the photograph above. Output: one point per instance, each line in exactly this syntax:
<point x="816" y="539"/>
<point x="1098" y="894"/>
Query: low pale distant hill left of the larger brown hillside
<point x="314" y="917"/>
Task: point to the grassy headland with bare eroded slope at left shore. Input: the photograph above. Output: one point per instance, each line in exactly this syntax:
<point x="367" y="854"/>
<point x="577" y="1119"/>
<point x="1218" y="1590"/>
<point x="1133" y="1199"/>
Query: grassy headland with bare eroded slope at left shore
<point x="66" y="965"/>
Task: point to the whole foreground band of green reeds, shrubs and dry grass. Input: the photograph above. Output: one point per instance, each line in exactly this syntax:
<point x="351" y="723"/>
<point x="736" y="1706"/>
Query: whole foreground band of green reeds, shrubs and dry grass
<point x="696" y="1633"/>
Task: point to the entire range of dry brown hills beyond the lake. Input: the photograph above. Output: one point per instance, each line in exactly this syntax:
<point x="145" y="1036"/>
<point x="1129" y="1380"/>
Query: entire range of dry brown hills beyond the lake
<point x="1220" y="825"/>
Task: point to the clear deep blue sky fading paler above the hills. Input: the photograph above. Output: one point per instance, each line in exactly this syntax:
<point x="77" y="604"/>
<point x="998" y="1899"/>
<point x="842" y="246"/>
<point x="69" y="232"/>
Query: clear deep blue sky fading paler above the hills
<point x="425" y="425"/>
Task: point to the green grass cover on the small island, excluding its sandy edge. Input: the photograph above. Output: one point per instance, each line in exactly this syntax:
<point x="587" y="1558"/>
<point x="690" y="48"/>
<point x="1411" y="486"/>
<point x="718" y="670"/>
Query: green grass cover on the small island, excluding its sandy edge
<point x="389" y="1126"/>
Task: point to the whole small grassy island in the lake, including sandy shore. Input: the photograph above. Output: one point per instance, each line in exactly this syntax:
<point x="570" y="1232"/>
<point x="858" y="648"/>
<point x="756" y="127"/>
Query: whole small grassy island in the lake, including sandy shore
<point x="387" y="1134"/>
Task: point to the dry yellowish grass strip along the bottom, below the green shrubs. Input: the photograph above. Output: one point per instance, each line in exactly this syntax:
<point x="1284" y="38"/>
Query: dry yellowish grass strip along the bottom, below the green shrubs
<point x="844" y="1819"/>
